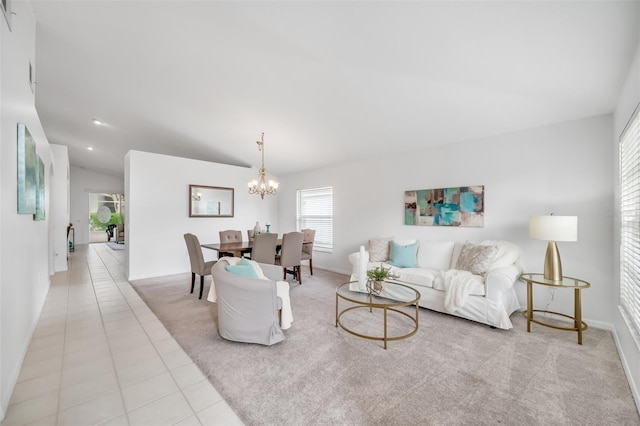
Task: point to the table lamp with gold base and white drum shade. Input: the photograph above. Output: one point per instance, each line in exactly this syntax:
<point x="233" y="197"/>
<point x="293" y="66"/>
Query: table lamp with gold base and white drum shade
<point x="553" y="228"/>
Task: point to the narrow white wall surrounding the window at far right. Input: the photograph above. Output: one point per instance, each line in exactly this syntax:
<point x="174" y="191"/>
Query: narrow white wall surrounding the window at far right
<point x="628" y="344"/>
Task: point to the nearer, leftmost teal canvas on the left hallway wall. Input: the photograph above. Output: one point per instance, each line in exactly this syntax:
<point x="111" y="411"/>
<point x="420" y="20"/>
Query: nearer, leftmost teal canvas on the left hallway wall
<point x="27" y="170"/>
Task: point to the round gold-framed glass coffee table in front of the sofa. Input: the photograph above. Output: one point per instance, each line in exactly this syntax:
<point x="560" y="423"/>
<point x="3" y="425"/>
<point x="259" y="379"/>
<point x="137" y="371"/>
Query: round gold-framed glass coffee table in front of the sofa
<point x="393" y="297"/>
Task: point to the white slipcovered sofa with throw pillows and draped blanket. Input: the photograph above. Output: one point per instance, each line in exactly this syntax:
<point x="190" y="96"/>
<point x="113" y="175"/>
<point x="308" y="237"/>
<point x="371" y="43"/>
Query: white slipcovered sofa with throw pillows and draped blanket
<point x="485" y="295"/>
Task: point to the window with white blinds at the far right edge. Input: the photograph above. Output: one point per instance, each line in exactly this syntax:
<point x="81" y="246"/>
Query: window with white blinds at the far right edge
<point x="630" y="218"/>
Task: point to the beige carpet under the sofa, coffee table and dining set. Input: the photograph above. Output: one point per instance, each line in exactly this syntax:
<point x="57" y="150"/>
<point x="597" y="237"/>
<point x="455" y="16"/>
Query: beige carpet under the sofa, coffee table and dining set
<point x="452" y="372"/>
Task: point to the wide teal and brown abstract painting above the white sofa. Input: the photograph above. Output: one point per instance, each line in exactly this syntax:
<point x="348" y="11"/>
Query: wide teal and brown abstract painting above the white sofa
<point x="459" y="206"/>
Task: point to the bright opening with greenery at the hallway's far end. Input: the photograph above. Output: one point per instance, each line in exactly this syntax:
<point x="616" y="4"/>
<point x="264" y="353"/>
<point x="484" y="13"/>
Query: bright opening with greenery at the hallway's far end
<point x="105" y="212"/>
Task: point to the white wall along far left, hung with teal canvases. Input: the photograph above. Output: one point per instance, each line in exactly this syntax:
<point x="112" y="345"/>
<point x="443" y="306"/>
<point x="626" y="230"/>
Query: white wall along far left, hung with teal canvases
<point x="25" y="258"/>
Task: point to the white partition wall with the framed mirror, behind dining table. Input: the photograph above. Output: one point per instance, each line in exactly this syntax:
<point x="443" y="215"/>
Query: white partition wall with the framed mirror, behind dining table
<point x="157" y="210"/>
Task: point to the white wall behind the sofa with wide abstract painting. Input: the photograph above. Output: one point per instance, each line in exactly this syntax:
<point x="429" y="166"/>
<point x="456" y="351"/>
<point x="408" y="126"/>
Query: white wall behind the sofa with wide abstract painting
<point x="566" y="169"/>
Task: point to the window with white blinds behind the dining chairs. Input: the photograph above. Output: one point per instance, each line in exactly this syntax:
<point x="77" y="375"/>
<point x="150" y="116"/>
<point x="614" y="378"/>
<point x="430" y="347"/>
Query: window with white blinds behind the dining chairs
<point x="315" y="211"/>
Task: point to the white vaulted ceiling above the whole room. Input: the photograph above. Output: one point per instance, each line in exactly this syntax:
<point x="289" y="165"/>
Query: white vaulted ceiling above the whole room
<point x="328" y="82"/>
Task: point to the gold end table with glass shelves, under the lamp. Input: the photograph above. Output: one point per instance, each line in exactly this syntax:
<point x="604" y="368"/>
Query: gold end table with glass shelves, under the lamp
<point x="567" y="282"/>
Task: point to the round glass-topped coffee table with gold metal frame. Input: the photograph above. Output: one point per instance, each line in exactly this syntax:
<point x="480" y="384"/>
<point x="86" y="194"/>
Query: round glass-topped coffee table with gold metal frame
<point x="371" y="301"/>
